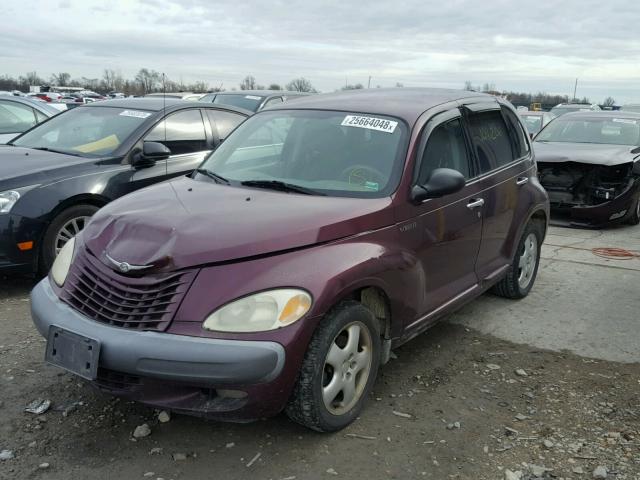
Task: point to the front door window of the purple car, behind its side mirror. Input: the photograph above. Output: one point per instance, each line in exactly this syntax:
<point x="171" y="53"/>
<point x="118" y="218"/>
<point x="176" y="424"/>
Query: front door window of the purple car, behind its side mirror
<point x="446" y="148"/>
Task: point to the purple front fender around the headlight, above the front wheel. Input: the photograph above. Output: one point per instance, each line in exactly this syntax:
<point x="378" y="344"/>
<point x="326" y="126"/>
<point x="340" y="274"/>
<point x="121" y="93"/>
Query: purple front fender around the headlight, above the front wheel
<point x="330" y="272"/>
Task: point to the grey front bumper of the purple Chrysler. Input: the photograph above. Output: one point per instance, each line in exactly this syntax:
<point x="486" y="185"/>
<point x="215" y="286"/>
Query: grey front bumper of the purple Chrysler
<point x="163" y="356"/>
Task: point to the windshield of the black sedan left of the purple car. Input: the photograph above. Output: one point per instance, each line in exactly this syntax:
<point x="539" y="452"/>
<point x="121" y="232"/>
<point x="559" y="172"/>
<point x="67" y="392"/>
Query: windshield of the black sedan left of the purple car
<point x="85" y="131"/>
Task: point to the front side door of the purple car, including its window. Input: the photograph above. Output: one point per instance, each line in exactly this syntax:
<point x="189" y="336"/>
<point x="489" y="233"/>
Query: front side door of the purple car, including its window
<point x="450" y="226"/>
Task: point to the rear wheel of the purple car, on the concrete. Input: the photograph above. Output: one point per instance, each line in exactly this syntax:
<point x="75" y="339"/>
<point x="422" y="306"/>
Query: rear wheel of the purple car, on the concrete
<point x="520" y="278"/>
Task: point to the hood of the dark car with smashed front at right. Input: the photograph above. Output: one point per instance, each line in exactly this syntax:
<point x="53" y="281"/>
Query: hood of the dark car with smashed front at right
<point x="591" y="153"/>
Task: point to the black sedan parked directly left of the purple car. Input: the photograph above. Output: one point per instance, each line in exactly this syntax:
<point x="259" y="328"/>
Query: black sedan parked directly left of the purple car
<point x="54" y="177"/>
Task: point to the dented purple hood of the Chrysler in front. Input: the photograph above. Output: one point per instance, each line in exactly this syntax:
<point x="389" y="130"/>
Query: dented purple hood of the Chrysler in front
<point x="185" y="223"/>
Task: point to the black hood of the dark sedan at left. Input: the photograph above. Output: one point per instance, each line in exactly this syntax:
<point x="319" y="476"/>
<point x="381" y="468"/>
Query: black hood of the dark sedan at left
<point x="36" y="165"/>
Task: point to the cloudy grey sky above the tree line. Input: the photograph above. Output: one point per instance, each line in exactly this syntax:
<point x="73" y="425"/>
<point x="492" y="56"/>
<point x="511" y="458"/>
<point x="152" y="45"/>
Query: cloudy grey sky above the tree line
<point x="521" y="46"/>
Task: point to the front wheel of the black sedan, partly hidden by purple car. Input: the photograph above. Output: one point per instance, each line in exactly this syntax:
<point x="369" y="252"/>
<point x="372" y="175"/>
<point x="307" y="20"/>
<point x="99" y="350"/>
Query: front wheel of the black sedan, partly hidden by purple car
<point x="53" y="241"/>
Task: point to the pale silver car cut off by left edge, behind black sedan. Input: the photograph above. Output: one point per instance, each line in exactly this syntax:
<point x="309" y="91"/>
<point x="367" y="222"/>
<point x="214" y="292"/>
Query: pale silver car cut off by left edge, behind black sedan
<point x="19" y="114"/>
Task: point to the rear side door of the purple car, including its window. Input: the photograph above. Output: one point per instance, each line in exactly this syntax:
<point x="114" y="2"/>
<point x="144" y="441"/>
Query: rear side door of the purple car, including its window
<point x="503" y="161"/>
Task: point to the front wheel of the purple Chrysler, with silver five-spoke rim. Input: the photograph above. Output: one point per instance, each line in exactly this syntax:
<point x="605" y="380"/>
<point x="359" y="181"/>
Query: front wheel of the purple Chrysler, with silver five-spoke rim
<point x="307" y="405"/>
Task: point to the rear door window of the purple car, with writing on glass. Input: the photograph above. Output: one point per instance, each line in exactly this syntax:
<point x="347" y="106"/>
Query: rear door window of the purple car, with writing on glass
<point x="491" y="140"/>
